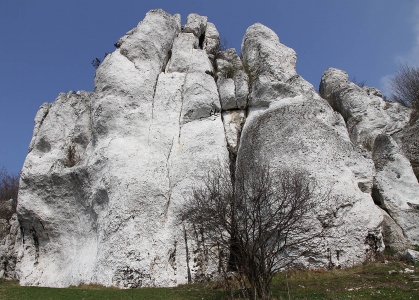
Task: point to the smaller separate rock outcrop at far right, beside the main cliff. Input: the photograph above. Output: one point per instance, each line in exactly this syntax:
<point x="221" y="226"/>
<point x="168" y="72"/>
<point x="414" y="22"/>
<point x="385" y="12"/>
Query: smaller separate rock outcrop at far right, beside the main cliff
<point x="372" y="123"/>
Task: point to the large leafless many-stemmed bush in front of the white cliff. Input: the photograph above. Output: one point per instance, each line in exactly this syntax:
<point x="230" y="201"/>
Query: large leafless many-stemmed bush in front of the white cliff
<point x="259" y="224"/>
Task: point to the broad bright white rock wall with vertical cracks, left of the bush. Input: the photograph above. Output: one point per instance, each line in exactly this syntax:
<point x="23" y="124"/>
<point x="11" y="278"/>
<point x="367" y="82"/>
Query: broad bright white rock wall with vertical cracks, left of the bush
<point x="108" y="214"/>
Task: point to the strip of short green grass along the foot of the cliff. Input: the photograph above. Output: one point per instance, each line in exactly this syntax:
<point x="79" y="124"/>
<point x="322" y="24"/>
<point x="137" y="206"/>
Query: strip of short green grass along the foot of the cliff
<point x="368" y="281"/>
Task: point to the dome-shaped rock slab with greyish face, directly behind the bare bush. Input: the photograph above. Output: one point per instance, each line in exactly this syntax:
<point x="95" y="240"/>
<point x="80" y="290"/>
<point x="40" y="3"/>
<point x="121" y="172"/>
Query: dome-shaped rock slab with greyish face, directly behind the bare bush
<point x="299" y="133"/>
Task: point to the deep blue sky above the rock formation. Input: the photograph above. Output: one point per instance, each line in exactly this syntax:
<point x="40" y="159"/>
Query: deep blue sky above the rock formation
<point x="47" y="45"/>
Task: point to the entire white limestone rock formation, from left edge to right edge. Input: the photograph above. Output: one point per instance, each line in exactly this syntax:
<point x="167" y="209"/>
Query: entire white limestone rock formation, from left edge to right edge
<point x="108" y="171"/>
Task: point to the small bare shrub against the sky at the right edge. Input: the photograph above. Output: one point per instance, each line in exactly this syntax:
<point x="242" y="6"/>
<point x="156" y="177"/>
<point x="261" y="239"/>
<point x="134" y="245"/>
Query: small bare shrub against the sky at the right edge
<point x="404" y="86"/>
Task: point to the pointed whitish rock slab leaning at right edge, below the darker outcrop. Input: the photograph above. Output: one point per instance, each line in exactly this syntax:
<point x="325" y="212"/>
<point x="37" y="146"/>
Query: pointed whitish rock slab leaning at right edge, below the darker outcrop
<point x="396" y="188"/>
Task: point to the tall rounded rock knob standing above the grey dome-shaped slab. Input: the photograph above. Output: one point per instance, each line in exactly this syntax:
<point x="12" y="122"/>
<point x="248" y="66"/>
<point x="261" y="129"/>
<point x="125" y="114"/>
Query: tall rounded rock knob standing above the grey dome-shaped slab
<point x="270" y="68"/>
